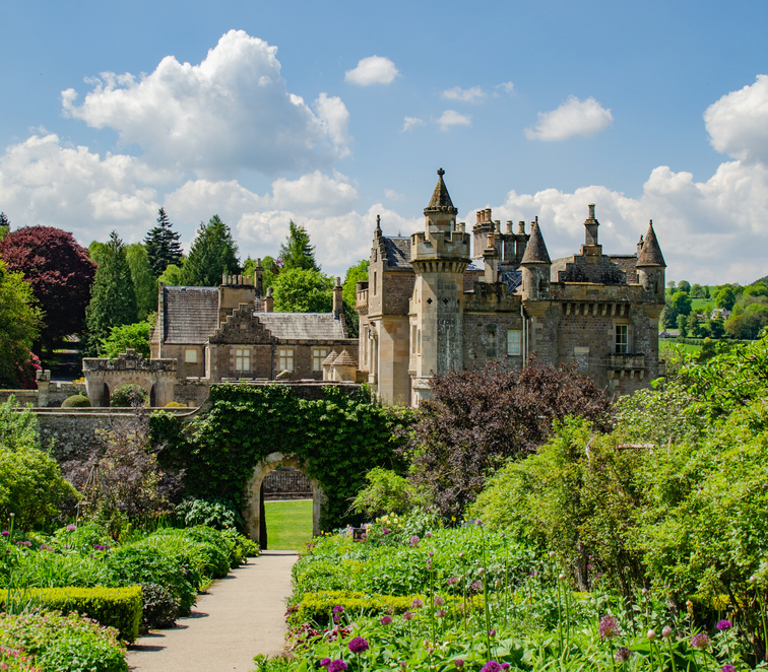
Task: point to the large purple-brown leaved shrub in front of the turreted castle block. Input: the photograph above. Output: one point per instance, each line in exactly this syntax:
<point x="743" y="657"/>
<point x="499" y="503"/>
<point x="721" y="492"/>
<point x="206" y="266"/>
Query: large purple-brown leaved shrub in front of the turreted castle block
<point x="476" y="420"/>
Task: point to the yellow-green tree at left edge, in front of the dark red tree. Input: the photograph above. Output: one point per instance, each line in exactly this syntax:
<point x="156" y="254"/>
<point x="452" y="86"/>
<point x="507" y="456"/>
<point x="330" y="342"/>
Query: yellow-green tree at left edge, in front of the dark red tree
<point x="19" y="322"/>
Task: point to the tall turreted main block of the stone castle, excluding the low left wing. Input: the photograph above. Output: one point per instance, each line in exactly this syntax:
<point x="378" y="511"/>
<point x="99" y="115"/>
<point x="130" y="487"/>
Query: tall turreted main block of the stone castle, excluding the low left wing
<point x="429" y="307"/>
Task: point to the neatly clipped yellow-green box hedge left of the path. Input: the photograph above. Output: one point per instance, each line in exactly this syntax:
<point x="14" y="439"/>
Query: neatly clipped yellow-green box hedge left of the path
<point x="119" y="608"/>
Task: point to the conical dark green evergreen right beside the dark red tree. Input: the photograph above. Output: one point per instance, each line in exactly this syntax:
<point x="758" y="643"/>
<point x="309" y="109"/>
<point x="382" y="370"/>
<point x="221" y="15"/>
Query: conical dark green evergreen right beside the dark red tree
<point x="113" y="296"/>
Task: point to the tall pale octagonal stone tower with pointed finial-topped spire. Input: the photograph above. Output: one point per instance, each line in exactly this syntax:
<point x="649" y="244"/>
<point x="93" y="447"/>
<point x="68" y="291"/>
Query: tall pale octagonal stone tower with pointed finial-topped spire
<point x="439" y="256"/>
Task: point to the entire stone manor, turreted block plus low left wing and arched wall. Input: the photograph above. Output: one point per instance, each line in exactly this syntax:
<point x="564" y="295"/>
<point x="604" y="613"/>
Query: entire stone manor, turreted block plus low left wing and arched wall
<point x="429" y="306"/>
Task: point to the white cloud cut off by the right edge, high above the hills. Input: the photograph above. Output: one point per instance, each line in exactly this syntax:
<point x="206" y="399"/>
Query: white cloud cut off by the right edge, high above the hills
<point x="738" y="122"/>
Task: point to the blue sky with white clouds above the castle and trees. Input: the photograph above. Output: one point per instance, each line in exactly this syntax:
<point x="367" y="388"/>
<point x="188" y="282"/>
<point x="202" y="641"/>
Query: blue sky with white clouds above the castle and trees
<point x="331" y="113"/>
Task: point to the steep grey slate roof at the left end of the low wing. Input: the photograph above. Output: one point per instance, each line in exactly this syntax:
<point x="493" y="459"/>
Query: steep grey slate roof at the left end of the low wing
<point x="190" y="314"/>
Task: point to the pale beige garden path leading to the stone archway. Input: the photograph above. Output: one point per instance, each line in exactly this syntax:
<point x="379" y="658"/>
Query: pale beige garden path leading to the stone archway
<point x="240" y="616"/>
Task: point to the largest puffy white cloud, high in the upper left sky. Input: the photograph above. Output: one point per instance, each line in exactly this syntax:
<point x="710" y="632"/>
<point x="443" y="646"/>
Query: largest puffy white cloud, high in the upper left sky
<point x="230" y="112"/>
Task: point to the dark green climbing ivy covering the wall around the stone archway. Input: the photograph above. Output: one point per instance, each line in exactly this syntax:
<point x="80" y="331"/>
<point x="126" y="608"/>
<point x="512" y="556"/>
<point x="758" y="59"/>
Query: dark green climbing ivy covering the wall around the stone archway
<point x="339" y="437"/>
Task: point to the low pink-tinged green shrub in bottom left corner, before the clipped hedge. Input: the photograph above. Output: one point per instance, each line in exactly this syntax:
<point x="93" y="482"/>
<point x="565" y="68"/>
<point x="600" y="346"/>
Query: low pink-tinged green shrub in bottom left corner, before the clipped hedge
<point x="73" y="643"/>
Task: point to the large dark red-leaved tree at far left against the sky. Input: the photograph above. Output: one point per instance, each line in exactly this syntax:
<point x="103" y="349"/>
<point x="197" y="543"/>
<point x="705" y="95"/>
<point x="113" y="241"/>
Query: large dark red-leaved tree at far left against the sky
<point x="60" y="273"/>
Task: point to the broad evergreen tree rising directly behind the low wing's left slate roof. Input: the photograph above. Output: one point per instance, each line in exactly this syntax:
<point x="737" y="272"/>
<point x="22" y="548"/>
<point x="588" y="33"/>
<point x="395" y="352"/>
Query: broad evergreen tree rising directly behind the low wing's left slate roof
<point x="213" y="253"/>
